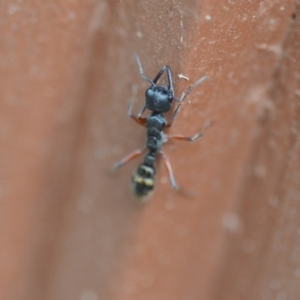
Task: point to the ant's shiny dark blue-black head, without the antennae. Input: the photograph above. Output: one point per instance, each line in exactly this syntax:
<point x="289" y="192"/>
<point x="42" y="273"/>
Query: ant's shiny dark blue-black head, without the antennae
<point x="159" y="98"/>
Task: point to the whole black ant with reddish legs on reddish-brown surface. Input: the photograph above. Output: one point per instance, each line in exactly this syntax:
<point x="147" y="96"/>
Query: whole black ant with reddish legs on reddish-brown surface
<point x="159" y="100"/>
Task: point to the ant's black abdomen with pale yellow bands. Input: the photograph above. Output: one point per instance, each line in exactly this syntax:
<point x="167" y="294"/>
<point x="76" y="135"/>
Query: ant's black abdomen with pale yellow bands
<point x="143" y="182"/>
